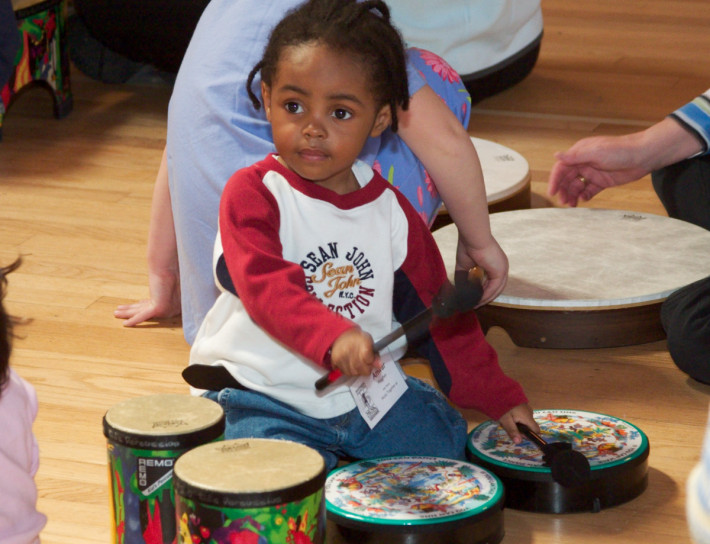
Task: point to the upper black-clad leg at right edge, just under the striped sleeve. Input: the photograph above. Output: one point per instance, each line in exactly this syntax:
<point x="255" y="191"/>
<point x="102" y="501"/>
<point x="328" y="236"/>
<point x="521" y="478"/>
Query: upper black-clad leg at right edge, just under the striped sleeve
<point x="684" y="190"/>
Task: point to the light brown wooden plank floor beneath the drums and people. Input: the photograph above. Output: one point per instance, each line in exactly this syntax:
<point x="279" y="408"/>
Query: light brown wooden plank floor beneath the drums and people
<point x="74" y="201"/>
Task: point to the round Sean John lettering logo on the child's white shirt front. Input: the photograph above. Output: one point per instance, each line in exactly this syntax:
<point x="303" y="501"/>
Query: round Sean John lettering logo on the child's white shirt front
<point x="339" y="282"/>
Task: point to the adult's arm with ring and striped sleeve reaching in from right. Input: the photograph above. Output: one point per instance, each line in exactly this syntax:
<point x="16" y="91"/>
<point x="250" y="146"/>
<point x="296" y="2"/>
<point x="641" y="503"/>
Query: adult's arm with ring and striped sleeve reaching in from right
<point x="609" y="161"/>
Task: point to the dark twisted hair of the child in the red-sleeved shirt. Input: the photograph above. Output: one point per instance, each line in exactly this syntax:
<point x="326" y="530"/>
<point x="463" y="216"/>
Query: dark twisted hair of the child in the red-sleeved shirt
<point x="350" y="27"/>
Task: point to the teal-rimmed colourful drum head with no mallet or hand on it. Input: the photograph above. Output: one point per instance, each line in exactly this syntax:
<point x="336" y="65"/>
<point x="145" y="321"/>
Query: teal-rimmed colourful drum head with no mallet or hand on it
<point x="411" y="491"/>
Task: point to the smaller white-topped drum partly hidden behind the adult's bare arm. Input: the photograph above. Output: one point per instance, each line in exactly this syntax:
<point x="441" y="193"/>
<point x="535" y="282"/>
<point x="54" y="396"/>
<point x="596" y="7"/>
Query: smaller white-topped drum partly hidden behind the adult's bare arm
<point x="506" y="175"/>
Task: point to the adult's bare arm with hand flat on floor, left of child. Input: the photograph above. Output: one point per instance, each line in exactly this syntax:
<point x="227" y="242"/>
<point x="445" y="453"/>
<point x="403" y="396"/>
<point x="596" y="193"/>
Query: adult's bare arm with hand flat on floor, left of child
<point x="163" y="269"/>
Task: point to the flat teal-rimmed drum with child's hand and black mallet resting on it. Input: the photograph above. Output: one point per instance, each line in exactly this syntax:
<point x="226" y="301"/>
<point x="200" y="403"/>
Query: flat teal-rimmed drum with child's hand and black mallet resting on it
<point x="617" y="452"/>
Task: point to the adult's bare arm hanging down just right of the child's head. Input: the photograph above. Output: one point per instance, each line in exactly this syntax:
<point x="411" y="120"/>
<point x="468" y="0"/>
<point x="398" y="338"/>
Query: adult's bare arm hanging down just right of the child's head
<point x="445" y="149"/>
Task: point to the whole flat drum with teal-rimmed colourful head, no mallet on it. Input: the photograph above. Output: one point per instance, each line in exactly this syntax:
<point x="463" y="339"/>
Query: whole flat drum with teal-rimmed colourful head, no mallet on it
<point x="431" y="500"/>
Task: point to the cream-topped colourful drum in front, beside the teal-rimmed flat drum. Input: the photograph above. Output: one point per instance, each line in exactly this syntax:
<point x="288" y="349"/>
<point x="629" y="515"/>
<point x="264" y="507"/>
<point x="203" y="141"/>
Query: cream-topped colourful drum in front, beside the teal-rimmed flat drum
<point x="256" y="491"/>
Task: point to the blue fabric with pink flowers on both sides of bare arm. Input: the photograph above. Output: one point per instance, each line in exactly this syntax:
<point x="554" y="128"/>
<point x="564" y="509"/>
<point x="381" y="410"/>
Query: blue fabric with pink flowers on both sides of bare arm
<point x="396" y="162"/>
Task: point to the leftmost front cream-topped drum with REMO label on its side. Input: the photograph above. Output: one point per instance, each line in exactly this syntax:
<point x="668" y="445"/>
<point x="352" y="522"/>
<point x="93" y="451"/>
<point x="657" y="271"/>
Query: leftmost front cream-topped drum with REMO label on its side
<point x="145" y="437"/>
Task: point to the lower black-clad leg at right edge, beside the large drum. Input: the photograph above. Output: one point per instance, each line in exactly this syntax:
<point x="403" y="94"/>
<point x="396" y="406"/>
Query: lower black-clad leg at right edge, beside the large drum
<point x="685" y="316"/>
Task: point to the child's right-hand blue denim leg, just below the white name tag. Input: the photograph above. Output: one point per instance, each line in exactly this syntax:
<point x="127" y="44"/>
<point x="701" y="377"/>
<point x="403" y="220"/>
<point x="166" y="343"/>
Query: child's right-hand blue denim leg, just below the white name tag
<point x="421" y="422"/>
